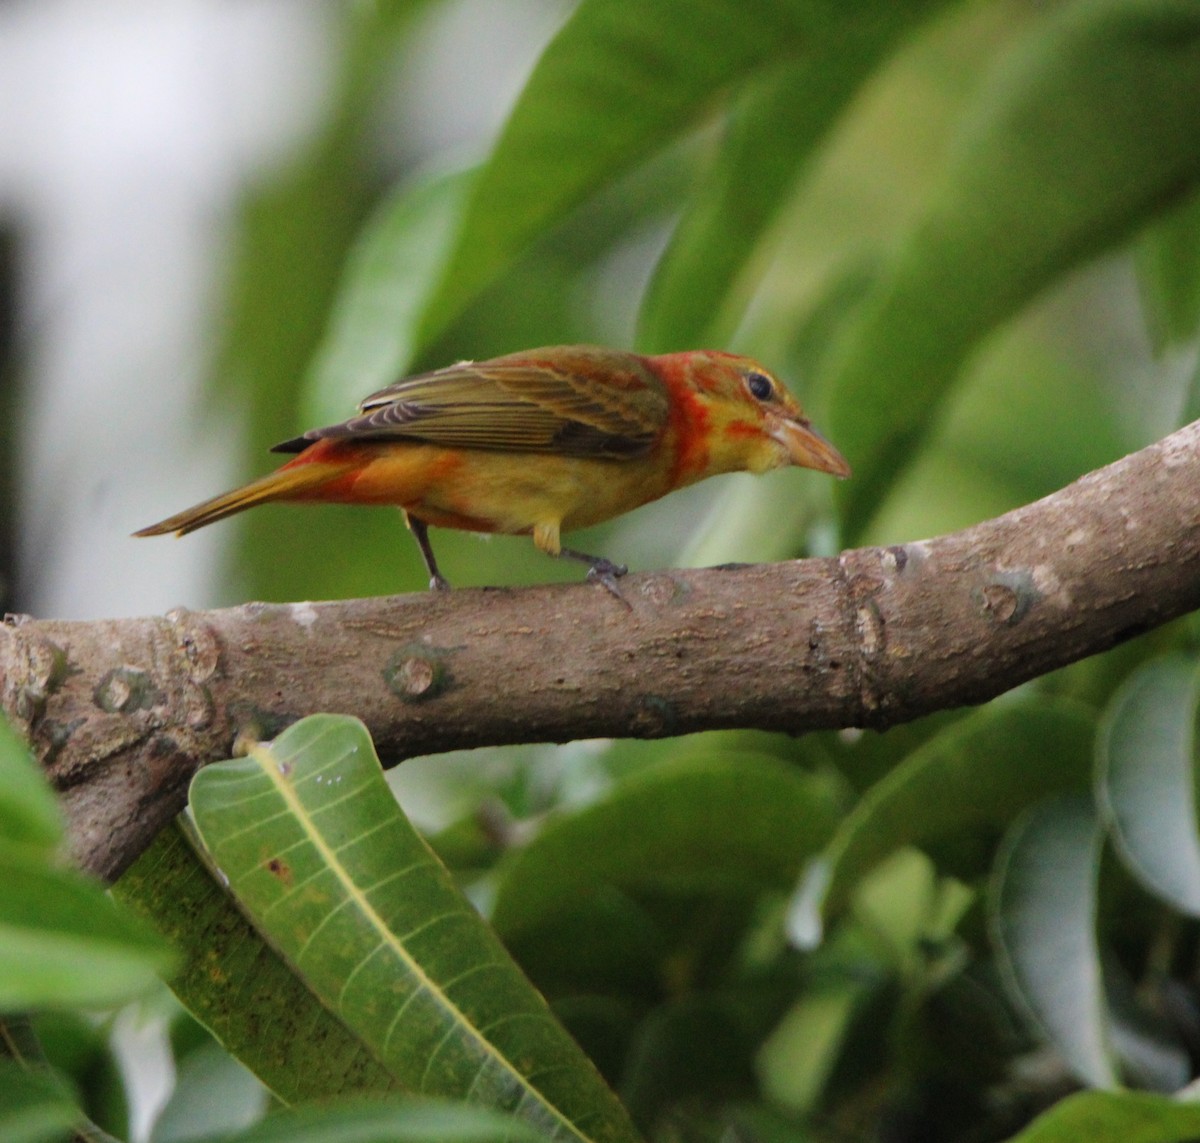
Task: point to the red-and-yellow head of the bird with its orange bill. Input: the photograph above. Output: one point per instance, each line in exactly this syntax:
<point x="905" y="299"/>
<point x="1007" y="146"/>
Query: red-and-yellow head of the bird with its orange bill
<point x="746" y="417"/>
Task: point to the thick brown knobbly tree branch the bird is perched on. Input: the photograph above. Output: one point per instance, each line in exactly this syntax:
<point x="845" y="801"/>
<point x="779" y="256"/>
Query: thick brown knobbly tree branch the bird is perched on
<point x="123" y="713"/>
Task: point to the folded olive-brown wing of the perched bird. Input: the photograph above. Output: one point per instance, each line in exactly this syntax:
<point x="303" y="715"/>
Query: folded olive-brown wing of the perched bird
<point x="575" y="402"/>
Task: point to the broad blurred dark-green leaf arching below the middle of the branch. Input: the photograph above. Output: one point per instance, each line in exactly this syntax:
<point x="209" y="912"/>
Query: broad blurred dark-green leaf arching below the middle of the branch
<point x="731" y="825"/>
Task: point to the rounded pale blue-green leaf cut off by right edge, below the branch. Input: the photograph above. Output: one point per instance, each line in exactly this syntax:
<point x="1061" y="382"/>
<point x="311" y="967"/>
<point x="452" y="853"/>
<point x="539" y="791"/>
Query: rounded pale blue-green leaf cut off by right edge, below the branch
<point x="1145" y="780"/>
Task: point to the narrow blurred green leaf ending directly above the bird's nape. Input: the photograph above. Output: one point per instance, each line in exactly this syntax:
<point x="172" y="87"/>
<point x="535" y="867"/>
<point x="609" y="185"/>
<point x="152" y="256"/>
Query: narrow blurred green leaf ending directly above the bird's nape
<point x="773" y="130"/>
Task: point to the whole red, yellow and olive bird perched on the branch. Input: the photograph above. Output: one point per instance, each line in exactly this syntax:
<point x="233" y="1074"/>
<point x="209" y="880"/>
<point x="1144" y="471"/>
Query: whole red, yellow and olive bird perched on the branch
<point x="539" y="444"/>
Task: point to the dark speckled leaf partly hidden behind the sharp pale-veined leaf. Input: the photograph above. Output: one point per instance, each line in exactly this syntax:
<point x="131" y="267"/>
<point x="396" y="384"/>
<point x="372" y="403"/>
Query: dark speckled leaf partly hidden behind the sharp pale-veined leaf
<point x="235" y="984"/>
